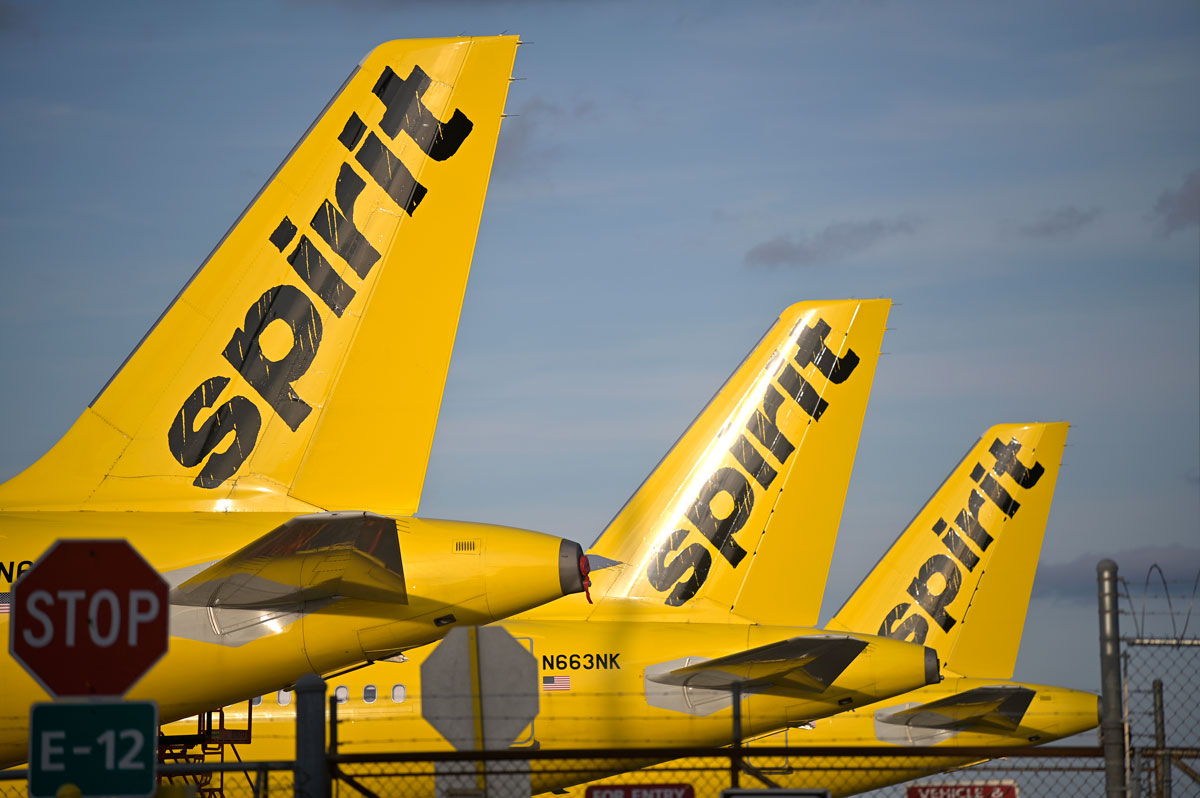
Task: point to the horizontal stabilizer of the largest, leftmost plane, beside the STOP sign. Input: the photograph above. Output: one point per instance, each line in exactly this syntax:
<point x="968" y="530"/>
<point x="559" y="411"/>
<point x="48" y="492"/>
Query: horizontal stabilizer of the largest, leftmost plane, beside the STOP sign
<point x="309" y="559"/>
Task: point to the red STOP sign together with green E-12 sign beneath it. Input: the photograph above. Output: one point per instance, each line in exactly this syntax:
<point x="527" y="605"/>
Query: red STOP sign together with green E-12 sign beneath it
<point x="88" y="621"/>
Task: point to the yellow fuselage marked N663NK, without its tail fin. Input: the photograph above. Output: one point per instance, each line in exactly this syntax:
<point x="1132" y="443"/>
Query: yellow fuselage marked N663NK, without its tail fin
<point x="607" y="704"/>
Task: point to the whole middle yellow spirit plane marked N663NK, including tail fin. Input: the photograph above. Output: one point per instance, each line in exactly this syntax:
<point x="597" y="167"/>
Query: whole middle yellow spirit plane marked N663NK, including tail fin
<point x="697" y="580"/>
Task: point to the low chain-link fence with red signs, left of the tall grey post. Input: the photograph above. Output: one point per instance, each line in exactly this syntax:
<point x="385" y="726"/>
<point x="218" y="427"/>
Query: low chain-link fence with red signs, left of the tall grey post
<point x="1066" y="772"/>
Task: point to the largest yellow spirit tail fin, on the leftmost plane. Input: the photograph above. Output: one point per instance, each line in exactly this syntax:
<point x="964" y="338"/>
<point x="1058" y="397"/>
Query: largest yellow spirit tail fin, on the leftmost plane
<point x="303" y="365"/>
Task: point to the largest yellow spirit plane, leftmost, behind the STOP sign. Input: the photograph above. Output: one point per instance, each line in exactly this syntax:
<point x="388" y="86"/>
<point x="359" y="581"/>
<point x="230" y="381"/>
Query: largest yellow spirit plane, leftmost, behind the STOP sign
<point x="266" y="445"/>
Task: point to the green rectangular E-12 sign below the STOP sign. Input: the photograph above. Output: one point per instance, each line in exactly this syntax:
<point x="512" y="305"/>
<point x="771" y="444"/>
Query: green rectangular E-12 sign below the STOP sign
<point x="104" y="749"/>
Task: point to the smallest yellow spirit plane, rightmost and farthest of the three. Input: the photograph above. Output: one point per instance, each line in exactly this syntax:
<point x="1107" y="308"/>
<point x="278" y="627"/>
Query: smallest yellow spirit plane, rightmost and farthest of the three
<point x="958" y="580"/>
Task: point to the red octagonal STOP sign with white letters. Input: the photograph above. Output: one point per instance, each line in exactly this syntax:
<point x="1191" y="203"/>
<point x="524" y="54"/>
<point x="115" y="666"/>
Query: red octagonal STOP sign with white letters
<point x="89" y="619"/>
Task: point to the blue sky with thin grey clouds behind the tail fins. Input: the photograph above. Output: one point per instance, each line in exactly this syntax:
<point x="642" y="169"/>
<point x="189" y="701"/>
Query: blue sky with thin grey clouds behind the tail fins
<point x="1024" y="179"/>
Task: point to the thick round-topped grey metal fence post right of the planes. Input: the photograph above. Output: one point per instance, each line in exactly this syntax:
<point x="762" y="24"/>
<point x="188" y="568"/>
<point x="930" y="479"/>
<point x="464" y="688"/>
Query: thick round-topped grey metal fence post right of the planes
<point x="1112" y="730"/>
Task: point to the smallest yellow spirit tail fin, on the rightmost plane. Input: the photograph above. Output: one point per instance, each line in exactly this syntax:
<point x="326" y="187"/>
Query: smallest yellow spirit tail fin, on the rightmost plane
<point x="959" y="578"/>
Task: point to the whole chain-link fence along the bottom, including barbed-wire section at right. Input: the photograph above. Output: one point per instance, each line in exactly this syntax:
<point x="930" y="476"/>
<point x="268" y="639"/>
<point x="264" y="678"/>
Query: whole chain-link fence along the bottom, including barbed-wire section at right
<point x="1161" y="698"/>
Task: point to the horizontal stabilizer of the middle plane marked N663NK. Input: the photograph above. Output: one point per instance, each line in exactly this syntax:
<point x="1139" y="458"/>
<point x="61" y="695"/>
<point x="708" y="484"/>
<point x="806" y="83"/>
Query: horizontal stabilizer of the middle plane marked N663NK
<point x="795" y="667"/>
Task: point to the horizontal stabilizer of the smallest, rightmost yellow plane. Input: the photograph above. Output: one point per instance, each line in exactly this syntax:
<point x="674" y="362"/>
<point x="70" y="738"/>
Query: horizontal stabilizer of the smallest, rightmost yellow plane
<point x="998" y="709"/>
